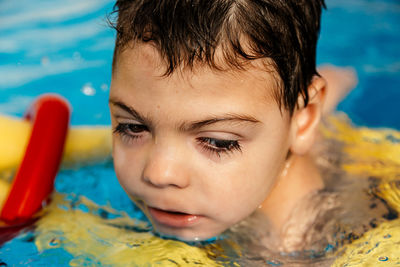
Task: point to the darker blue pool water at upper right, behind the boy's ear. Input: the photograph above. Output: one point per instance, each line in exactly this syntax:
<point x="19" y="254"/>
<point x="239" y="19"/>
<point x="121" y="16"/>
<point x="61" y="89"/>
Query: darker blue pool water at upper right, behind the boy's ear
<point x="366" y="35"/>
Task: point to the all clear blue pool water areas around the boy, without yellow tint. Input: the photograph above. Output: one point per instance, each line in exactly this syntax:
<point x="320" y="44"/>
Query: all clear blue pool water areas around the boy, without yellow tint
<point x="65" y="46"/>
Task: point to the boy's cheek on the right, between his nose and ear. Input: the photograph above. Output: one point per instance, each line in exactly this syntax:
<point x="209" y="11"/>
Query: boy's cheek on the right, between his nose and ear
<point x="244" y="185"/>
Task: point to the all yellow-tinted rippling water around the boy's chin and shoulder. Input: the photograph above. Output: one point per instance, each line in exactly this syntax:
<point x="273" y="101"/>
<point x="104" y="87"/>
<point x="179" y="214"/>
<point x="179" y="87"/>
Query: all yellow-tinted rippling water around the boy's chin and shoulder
<point x="100" y="235"/>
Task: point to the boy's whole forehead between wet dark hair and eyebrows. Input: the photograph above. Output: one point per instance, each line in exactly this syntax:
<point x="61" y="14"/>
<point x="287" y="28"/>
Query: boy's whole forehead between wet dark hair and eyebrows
<point x="139" y="77"/>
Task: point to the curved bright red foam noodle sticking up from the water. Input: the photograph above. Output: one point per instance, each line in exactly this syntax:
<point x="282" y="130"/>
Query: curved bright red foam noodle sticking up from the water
<point x="34" y="180"/>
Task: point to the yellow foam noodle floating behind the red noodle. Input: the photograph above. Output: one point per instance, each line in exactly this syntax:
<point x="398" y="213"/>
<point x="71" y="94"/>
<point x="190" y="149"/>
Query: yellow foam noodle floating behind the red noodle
<point x="84" y="144"/>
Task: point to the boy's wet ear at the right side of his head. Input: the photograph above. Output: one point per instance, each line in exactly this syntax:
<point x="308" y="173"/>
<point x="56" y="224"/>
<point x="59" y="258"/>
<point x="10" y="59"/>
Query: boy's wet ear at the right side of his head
<point x="305" y="119"/>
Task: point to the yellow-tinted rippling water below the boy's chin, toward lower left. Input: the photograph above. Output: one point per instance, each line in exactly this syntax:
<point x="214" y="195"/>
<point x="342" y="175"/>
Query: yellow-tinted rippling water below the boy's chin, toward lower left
<point x="100" y="236"/>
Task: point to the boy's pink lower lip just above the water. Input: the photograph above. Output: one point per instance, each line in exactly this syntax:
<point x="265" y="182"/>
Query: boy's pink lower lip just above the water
<point x="173" y="219"/>
